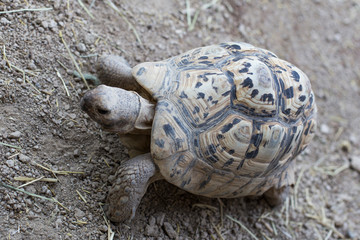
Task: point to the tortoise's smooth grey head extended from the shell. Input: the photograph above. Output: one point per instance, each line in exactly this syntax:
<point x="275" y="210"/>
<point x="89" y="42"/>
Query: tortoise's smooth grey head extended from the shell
<point x="115" y="109"/>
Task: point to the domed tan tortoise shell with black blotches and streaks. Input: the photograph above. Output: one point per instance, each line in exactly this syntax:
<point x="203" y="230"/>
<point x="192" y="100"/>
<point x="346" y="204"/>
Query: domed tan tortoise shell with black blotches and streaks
<point x="230" y="118"/>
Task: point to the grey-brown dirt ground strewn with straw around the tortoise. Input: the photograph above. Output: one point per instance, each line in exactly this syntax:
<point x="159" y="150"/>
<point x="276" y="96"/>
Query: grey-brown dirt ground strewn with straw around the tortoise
<point x="44" y="134"/>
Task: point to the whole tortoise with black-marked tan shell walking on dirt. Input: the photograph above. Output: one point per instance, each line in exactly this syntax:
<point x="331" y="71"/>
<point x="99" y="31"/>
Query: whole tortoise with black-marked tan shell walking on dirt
<point x="221" y="121"/>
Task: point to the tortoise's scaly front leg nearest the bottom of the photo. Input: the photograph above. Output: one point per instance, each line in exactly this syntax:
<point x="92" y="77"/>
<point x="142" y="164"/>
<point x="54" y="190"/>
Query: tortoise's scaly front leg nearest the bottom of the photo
<point x="131" y="181"/>
